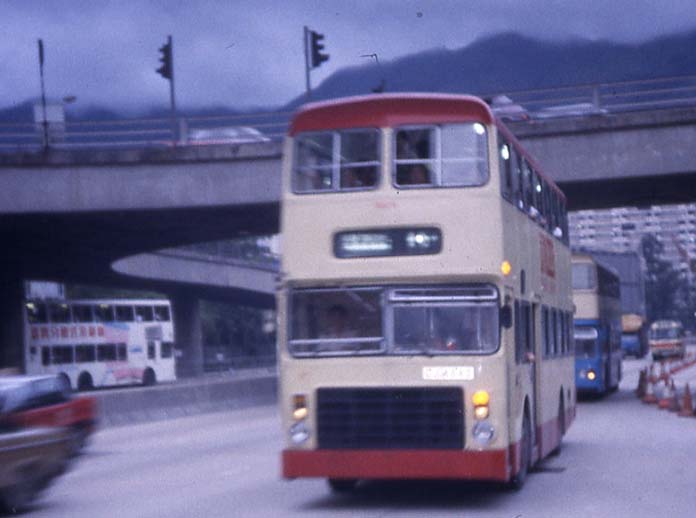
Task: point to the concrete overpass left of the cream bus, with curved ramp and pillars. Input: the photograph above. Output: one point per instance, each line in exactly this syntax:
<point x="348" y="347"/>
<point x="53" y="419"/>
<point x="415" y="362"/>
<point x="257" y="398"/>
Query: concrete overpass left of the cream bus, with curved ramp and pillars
<point x="75" y="217"/>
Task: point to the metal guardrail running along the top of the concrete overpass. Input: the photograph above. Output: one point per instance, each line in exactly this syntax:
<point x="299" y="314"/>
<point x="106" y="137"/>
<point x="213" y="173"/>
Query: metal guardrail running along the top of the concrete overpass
<point x="566" y="101"/>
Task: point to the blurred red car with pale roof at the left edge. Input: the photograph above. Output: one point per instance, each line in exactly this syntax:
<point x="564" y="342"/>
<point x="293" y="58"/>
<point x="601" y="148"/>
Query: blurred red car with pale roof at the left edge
<point x="33" y="401"/>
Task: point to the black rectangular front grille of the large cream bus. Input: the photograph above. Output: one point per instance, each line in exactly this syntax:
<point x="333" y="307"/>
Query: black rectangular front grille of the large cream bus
<point x="390" y="418"/>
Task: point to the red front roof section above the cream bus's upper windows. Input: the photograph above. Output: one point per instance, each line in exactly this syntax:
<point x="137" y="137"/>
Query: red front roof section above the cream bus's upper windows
<point x="390" y="110"/>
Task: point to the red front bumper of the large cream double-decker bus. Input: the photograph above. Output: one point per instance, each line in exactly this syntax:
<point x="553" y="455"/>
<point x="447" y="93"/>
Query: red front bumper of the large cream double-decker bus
<point x="400" y="464"/>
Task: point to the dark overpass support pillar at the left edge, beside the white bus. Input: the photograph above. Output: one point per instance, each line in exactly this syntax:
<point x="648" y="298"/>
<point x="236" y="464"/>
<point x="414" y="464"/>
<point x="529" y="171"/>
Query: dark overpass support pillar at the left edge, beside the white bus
<point x="11" y="325"/>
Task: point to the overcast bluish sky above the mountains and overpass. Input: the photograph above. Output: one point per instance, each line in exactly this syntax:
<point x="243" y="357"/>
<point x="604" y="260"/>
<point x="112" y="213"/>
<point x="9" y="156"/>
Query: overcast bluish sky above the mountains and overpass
<point x="244" y="53"/>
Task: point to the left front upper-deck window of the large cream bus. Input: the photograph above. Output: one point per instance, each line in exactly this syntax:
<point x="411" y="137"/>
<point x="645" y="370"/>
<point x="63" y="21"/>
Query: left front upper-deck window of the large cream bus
<point x="336" y="160"/>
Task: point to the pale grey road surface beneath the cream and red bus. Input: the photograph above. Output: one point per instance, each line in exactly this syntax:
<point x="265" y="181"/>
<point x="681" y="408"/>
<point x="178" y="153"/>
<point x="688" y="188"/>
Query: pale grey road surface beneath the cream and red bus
<point x="620" y="458"/>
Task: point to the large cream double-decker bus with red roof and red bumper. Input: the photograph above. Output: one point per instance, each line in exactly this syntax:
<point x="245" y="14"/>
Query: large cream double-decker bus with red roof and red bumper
<point x="425" y="307"/>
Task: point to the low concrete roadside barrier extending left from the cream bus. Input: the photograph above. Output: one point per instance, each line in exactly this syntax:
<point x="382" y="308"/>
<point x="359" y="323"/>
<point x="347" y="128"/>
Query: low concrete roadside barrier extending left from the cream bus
<point x="189" y="397"/>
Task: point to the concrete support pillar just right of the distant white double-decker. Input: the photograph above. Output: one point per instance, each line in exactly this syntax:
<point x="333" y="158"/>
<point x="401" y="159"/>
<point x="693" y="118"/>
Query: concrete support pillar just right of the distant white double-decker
<point x="188" y="335"/>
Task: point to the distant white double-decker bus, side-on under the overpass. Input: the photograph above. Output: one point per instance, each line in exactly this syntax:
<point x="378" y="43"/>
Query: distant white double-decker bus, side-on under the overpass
<point x="100" y="343"/>
